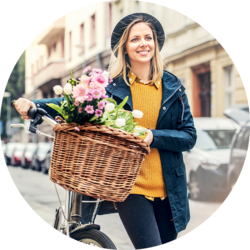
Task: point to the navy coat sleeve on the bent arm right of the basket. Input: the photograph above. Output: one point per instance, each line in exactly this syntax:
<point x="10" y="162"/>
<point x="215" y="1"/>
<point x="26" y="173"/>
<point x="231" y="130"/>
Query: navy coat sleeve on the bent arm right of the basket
<point x="181" y="139"/>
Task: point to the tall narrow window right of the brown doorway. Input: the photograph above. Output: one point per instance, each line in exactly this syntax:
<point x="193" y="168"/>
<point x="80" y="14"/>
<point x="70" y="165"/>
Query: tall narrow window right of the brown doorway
<point x="228" y="86"/>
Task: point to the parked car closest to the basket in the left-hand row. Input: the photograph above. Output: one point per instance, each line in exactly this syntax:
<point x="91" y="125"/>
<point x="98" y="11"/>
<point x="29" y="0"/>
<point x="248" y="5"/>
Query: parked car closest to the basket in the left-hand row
<point x="40" y="154"/>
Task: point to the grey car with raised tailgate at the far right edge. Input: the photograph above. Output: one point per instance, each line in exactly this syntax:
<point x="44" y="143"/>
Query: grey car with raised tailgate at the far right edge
<point x="239" y="149"/>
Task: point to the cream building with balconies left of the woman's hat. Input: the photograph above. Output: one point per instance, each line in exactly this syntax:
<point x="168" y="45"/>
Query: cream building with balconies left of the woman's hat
<point x="77" y="39"/>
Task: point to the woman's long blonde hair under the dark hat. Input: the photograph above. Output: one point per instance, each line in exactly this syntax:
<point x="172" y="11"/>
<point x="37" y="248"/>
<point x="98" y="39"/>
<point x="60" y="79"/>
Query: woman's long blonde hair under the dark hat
<point x="119" y="66"/>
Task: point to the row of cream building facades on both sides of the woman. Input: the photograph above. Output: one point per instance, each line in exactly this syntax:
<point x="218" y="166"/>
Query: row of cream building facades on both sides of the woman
<point x="81" y="37"/>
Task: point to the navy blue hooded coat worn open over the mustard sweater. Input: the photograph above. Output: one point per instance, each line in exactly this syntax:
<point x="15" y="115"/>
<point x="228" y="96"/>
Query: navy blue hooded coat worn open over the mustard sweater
<point x="174" y="133"/>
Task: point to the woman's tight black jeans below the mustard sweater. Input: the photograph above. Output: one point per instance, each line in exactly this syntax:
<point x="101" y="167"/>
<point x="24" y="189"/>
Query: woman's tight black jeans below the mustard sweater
<point x="148" y="223"/>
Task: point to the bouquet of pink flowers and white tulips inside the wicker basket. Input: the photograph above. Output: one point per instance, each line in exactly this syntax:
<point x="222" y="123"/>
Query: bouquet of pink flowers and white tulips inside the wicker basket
<point x="86" y="101"/>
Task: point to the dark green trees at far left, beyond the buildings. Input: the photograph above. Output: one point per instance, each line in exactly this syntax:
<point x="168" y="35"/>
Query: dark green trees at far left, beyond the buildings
<point x="15" y="84"/>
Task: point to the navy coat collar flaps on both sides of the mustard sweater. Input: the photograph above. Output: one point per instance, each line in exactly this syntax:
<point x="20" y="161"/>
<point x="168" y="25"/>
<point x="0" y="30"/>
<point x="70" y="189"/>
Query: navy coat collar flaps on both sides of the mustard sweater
<point x="170" y="84"/>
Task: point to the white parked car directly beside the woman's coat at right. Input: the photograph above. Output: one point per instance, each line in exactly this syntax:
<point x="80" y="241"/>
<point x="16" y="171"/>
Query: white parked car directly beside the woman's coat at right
<point x="207" y="163"/>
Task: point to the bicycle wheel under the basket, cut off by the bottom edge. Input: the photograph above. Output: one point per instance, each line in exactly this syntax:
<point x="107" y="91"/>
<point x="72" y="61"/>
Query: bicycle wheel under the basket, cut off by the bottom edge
<point x="93" y="238"/>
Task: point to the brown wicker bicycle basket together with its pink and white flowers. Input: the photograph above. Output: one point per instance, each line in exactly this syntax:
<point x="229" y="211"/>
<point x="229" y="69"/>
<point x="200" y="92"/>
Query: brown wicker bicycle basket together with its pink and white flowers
<point x="98" y="149"/>
